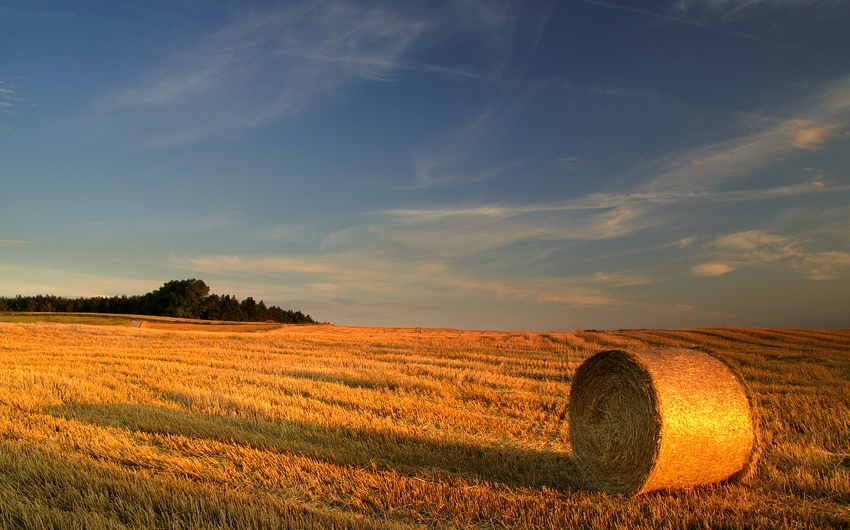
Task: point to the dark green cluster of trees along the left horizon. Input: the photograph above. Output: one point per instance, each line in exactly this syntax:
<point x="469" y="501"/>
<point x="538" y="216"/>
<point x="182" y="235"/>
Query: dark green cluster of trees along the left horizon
<point x="177" y="298"/>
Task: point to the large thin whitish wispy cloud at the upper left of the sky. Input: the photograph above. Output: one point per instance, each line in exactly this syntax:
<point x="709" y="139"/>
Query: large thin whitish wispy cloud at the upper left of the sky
<point x="270" y="65"/>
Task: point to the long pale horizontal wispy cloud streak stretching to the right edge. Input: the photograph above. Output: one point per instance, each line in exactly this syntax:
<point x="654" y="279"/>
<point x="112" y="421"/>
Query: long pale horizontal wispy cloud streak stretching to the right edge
<point x="471" y="229"/>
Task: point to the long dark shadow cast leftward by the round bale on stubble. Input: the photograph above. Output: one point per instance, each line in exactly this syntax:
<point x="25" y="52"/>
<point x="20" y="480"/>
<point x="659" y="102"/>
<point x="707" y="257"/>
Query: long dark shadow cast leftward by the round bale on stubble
<point x="363" y="448"/>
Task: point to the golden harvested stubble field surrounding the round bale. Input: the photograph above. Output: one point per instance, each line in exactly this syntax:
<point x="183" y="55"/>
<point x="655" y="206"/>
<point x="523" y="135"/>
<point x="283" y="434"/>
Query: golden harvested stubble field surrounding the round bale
<point x="103" y="426"/>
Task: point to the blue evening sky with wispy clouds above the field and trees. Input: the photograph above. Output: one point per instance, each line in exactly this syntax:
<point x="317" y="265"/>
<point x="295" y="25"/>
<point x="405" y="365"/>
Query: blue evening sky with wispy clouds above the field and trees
<point x="469" y="164"/>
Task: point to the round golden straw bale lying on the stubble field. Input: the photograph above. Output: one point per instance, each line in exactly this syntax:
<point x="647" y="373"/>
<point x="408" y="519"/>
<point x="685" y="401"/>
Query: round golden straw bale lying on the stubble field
<point x="659" y="419"/>
